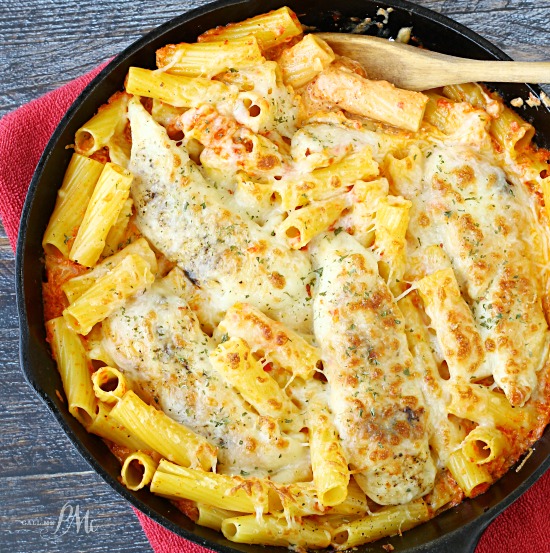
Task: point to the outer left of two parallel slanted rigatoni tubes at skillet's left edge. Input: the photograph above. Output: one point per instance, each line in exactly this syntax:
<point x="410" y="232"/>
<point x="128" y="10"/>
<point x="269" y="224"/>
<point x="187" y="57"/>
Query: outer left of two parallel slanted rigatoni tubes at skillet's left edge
<point x="76" y="190"/>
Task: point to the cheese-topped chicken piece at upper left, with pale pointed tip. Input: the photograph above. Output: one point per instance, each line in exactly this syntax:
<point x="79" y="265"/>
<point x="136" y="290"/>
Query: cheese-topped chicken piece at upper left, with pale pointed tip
<point x="184" y="217"/>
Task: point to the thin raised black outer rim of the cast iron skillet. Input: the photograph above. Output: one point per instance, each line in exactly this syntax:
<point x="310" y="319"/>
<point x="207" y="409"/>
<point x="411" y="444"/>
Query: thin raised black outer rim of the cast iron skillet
<point x="466" y="535"/>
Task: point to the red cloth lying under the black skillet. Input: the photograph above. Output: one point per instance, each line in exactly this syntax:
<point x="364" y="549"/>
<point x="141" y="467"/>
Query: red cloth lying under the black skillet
<point x="23" y="136"/>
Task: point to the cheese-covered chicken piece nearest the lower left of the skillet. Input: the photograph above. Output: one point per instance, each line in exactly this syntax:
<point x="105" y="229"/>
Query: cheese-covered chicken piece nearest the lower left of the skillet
<point x="157" y="341"/>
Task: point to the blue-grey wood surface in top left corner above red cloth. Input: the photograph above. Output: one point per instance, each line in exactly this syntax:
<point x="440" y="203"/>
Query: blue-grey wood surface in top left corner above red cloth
<point x="46" y="44"/>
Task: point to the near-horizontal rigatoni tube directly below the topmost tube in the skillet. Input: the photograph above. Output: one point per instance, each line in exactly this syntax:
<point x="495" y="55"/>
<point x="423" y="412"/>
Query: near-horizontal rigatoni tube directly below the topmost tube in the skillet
<point x="206" y="59"/>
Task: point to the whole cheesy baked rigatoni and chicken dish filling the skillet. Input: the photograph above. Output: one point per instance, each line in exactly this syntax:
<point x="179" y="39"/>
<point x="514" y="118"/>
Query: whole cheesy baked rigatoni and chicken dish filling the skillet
<point x="307" y="307"/>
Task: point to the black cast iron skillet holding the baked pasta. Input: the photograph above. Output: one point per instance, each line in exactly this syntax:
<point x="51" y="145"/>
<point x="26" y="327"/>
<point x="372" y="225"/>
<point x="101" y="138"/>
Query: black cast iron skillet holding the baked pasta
<point x="455" y="530"/>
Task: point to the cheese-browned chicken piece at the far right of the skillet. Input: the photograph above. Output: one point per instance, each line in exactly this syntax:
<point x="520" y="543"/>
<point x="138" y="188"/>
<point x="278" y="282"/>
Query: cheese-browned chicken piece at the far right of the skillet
<point x="468" y="207"/>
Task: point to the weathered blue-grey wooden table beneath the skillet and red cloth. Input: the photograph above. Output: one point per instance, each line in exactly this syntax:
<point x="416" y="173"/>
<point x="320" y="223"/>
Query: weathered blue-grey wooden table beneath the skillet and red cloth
<point x="43" y="45"/>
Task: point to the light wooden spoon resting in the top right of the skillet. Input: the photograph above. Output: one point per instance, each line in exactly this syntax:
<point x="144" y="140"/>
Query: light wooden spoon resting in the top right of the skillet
<point x="416" y="69"/>
